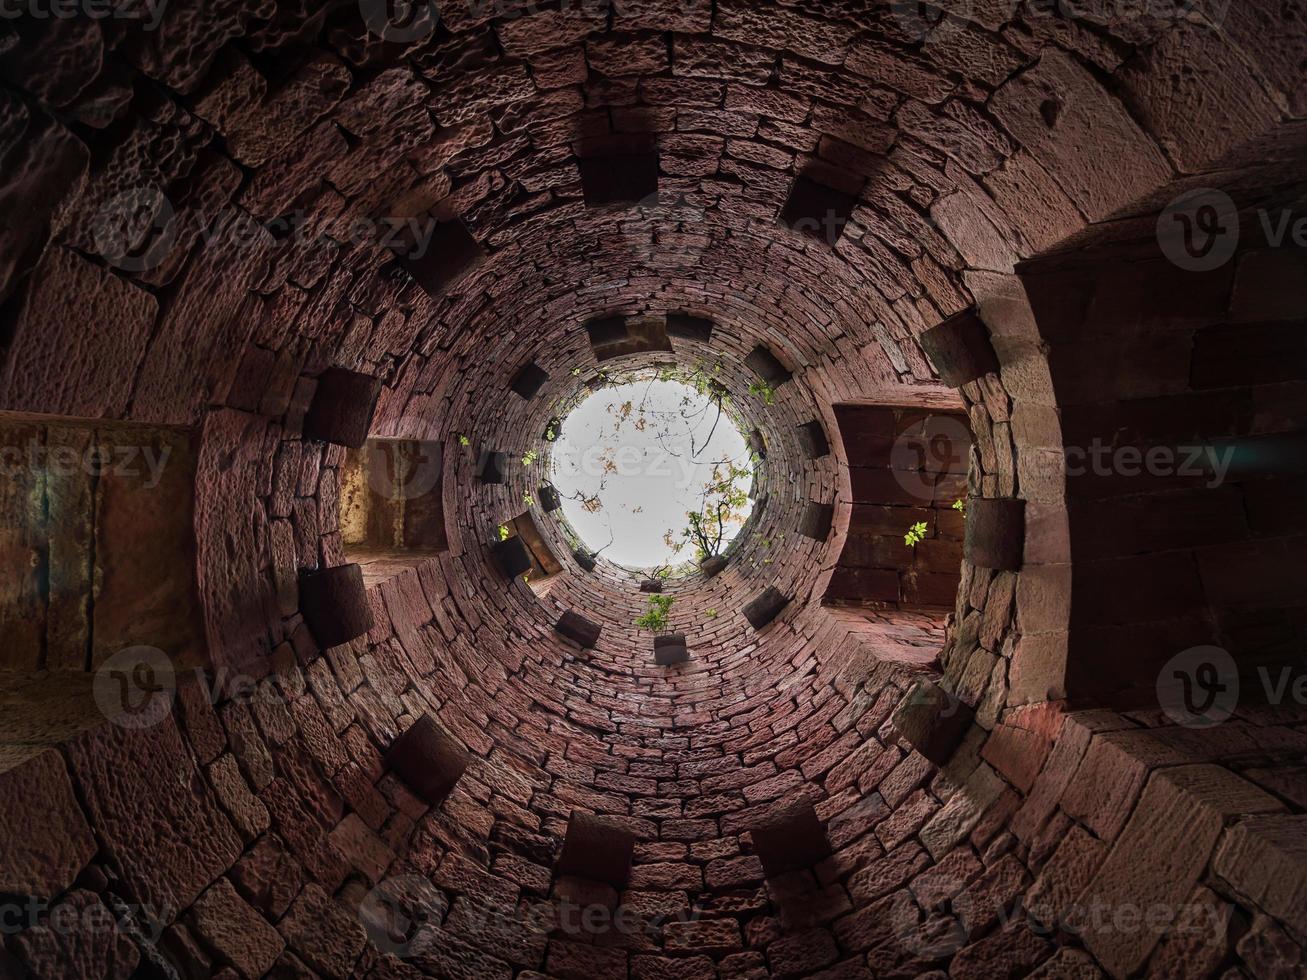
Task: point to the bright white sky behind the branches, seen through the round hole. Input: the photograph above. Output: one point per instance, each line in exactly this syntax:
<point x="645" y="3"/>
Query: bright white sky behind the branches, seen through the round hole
<point x="657" y="482"/>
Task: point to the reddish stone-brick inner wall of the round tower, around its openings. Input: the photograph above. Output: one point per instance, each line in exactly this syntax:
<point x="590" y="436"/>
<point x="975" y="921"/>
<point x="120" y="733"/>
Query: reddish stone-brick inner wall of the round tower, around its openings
<point x="944" y="795"/>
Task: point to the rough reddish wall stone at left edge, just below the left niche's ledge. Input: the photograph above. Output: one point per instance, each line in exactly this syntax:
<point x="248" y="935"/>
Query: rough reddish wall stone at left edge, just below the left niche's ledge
<point x="45" y="840"/>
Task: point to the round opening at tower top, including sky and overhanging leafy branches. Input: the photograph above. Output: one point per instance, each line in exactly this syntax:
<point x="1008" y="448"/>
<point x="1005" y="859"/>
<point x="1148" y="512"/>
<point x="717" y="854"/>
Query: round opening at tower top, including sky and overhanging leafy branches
<point x="653" y="471"/>
